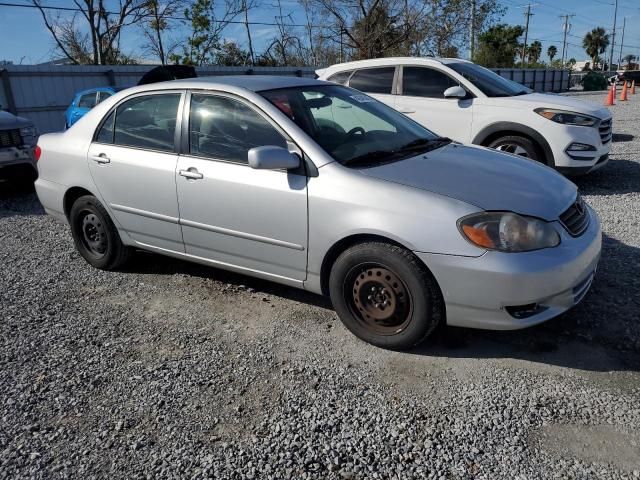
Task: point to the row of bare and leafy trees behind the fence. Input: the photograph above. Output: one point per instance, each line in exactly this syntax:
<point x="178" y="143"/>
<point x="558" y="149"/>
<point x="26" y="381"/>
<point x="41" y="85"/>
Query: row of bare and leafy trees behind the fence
<point x="196" y="32"/>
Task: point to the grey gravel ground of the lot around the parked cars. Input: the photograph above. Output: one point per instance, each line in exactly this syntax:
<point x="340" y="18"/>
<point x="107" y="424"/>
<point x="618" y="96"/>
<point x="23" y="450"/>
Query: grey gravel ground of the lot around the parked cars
<point x="174" y="370"/>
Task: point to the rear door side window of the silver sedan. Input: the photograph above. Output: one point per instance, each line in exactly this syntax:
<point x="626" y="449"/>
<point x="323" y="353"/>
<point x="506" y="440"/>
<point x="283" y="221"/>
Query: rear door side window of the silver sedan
<point x="146" y="122"/>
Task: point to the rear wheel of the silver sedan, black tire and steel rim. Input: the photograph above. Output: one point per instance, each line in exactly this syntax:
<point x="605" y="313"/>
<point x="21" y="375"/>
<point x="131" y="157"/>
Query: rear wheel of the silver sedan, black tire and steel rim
<point x="95" y="236"/>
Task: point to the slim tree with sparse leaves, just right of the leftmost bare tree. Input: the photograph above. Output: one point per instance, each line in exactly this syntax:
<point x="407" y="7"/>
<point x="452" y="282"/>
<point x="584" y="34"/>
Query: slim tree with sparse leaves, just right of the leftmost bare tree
<point x="161" y="18"/>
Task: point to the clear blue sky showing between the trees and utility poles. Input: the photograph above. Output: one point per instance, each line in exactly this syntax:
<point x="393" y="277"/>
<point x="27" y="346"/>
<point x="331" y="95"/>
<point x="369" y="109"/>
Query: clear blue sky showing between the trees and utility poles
<point x="24" y="39"/>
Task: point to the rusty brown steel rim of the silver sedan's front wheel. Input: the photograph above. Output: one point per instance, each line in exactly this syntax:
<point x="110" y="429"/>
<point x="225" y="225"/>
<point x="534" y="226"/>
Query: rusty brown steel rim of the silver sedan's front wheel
<point x="378" y="299"/>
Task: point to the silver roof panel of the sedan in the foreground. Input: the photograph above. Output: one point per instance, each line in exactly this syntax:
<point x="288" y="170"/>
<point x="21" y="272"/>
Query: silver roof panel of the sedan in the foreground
<point x="255" y="83"/>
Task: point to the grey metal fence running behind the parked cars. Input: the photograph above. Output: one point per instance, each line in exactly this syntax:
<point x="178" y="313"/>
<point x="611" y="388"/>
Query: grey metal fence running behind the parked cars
<point x="42" y="93"/>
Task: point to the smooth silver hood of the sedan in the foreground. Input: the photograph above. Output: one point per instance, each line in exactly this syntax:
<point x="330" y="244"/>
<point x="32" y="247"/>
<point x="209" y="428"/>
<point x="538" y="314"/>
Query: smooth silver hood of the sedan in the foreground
<point x="485" y="178"/>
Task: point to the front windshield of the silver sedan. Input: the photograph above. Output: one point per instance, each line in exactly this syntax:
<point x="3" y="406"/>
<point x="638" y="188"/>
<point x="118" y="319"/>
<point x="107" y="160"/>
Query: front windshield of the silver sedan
<point x="352" y="127"/>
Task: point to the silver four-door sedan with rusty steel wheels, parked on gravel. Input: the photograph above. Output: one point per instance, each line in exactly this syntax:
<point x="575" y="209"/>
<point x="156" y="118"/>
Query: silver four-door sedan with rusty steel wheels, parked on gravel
<point x="318" y="186"/>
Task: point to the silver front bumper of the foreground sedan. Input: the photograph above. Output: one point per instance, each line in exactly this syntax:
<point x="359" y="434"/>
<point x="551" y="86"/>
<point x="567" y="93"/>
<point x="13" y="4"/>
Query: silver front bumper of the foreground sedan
<point x="478" y="290"/>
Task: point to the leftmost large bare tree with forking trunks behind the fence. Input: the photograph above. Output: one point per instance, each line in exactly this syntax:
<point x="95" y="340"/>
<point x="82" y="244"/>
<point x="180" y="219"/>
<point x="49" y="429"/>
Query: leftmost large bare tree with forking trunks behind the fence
<point x="101" y="45"/>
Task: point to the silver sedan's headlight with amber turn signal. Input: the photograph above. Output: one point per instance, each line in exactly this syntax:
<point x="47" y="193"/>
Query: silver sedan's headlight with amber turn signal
<point x="508" y="232"/>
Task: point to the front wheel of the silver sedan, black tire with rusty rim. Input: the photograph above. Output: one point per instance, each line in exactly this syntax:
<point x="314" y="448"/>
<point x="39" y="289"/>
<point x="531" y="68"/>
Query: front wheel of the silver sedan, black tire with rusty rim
<point x="376" y="279"/>
